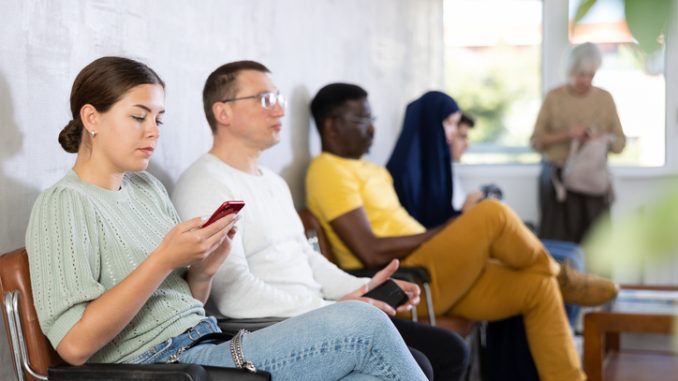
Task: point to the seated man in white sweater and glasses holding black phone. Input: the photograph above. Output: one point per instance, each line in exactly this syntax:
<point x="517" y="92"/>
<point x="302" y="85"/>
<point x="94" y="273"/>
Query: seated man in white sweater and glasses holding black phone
<point x="272" y="270"/>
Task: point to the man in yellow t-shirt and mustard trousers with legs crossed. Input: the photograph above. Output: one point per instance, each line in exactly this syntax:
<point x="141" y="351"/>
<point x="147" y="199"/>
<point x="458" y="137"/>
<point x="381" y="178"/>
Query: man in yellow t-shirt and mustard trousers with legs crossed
<point x="484" y="265"/>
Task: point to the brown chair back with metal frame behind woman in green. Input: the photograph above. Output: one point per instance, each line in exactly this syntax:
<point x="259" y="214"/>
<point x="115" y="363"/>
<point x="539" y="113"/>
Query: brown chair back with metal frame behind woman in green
<point x="31" y="351"/>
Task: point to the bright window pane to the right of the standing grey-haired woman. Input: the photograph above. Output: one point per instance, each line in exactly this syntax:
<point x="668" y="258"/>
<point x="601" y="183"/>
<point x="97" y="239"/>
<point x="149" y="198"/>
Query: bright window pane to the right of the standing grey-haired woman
<point x="634" y="78"/>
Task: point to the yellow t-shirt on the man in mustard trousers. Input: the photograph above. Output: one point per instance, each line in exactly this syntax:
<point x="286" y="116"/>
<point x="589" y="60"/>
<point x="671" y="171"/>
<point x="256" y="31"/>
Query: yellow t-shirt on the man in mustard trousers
<point x="336" y="186"/>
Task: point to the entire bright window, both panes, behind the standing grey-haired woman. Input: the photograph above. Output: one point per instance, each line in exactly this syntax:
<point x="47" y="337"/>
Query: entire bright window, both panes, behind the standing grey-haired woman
<point x="493" y="68"/>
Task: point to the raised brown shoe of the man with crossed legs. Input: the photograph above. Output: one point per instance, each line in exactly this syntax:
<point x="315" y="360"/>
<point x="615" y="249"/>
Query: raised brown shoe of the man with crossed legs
<point x="585" y="289"/>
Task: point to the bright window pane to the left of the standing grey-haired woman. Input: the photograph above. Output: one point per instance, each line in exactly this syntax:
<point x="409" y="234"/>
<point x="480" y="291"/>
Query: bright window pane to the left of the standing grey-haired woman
<point x="493" y="70"/>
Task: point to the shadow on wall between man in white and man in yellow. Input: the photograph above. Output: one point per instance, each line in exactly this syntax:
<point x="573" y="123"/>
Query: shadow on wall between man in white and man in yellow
<point x="300" y="122"/>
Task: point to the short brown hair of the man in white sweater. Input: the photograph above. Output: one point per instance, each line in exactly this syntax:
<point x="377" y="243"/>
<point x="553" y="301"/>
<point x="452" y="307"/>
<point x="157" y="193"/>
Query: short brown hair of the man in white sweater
<point x="222" y="84"/>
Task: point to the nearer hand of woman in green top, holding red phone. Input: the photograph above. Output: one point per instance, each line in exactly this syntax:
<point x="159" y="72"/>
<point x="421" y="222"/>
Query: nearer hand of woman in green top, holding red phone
<point x="188" y="243"/>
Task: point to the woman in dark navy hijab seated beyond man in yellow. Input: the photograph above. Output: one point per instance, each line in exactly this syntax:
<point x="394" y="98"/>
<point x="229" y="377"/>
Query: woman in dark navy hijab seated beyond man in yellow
<point x="421" y="167"/>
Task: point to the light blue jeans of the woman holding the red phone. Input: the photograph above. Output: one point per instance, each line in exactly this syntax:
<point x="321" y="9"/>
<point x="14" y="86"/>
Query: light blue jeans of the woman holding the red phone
<point x="345" y="341"/>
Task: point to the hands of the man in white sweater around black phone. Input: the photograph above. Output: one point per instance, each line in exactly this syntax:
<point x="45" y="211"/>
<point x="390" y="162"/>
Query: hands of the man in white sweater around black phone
<point x="412" y="290"/>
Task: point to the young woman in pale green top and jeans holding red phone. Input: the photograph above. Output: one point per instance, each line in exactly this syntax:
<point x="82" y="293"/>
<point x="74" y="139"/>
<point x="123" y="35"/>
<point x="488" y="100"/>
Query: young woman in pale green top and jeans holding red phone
<point x="117" y="278"/>
